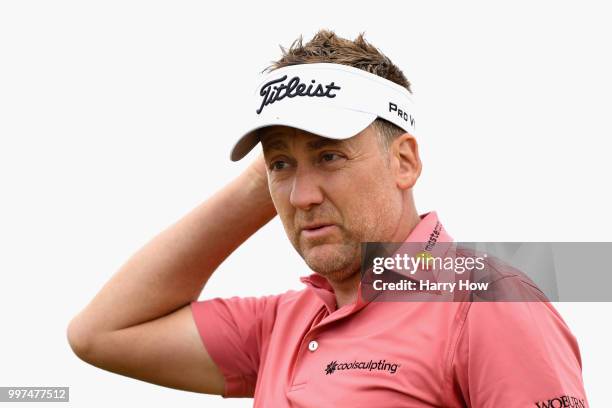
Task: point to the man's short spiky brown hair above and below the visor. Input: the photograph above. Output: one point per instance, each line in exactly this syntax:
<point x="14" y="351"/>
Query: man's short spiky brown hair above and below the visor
<point x="326" y="46"/>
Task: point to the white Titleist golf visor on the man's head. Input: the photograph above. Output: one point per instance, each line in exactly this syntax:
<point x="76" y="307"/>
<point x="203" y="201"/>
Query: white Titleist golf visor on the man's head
<point x="330" y="100"/>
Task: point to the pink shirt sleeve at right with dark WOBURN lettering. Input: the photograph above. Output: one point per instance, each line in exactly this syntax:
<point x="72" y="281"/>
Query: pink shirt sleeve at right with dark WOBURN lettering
<point x="517" y="354"/>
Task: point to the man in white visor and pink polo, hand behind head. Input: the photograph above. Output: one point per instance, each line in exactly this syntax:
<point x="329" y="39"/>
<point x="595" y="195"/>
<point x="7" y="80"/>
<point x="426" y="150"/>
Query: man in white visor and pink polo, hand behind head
<point x="335" y="119"/>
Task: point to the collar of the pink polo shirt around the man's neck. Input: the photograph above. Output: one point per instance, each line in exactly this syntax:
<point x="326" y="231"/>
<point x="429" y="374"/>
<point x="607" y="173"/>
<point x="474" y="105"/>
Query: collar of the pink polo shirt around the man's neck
<point x="429" y="228"/>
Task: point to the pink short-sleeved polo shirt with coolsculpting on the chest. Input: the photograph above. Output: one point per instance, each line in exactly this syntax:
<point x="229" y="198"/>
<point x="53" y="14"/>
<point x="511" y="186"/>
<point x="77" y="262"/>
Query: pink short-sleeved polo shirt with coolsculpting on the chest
<point x="296" y="350"/>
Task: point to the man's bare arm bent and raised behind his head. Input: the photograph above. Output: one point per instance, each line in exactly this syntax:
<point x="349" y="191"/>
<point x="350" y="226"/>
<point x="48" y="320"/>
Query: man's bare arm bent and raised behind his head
<point x="139" y="324"/>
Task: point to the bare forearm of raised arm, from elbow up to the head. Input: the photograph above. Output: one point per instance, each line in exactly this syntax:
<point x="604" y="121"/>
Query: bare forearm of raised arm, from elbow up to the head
<point x="171" y="269"/>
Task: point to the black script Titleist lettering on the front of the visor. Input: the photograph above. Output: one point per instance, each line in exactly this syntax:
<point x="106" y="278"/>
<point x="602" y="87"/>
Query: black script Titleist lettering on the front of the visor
<point x="276" y="90"/>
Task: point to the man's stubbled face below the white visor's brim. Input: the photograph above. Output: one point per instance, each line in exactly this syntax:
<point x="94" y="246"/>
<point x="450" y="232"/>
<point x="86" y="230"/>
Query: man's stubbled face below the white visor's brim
<point x="331" y="195"/>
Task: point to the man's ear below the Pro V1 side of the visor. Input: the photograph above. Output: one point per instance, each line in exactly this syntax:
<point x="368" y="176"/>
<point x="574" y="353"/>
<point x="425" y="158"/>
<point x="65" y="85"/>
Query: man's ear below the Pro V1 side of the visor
<point x="405" y="152"/>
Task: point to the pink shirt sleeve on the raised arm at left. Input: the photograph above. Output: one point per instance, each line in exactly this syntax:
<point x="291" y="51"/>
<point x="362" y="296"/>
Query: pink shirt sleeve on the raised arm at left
<point x="233" y="330"/>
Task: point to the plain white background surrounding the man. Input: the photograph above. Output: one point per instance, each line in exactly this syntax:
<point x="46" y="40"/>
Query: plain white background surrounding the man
<point x="116" y="119"/>
